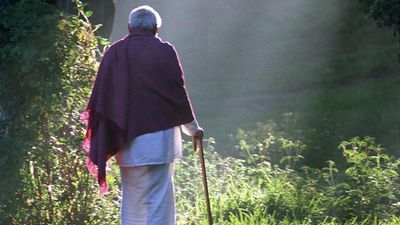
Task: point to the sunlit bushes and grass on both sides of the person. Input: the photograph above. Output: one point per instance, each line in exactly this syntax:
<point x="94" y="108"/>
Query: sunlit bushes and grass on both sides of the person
<point x="47" y="68"/>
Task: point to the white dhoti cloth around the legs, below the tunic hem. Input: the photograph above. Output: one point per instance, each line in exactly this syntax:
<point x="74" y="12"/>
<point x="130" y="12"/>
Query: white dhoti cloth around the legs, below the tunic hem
<point x="148" y="195"/>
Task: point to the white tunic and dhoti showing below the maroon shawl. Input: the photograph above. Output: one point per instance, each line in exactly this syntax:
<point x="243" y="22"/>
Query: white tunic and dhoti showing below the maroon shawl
<point x="147" y="168"/>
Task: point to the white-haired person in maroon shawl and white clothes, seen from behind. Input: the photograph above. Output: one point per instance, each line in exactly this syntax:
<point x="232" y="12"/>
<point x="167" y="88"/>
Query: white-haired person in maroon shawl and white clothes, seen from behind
<point x="136" y="111"/>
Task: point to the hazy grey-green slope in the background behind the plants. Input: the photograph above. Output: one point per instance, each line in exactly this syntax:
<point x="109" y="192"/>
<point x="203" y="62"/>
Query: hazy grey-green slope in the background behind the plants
<point x="247" y="62"/>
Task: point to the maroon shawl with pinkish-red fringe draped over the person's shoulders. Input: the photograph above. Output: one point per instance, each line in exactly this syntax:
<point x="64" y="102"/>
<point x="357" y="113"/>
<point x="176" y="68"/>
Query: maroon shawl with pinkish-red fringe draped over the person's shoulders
<point x="139" y="89"/>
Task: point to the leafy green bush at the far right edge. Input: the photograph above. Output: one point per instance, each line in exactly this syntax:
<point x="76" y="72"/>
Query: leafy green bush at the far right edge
<point x="372" y="180"/>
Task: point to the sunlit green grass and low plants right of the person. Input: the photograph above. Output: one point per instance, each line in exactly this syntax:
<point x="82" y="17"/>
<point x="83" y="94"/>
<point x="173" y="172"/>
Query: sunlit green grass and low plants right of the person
<point x="366" y="192"/>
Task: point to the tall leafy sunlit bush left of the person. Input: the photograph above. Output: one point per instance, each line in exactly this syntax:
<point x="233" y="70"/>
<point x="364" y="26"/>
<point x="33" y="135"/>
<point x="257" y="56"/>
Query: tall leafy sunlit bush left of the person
<point x="49" y="62"/>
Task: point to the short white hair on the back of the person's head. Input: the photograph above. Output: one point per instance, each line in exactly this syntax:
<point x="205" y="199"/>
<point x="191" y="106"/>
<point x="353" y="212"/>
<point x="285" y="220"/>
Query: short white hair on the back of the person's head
<point x="144" y="17"/>
